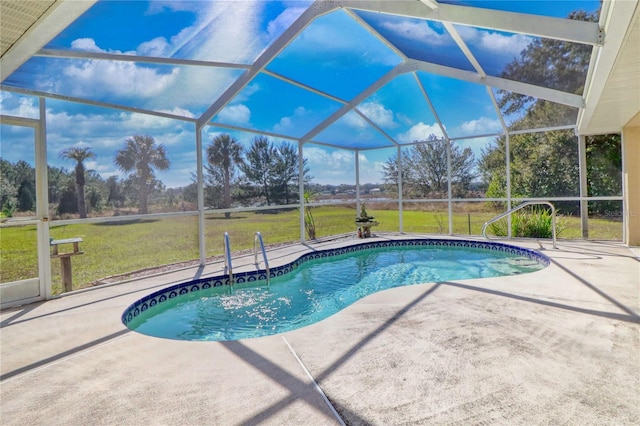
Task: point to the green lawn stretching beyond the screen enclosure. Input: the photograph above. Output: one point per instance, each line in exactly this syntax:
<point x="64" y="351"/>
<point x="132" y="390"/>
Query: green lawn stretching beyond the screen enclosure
<point x="114" y="248"/>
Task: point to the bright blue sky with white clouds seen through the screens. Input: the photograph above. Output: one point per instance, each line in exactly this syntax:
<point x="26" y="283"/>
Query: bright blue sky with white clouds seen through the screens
<point x="334" y="54"/>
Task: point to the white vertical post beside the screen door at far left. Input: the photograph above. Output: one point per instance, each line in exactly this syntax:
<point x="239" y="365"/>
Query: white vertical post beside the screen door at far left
<point x="42" y="203"/>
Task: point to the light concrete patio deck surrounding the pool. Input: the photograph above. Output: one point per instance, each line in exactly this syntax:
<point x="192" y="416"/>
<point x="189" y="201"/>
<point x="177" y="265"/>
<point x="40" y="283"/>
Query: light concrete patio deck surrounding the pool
<point x="558" y="346"/>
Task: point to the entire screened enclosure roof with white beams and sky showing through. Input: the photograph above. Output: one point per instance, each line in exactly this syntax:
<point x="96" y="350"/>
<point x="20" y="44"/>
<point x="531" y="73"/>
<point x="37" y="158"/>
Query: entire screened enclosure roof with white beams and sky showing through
<point x="306" y="70"/>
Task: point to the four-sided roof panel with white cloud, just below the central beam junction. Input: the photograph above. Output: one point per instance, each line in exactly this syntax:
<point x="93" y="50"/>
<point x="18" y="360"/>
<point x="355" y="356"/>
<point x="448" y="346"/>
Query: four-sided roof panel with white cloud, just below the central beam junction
<point x="400" y="109"/>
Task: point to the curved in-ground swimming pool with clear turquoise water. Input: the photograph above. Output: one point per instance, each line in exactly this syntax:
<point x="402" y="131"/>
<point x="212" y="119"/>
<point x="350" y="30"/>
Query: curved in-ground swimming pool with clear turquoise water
<point x="316" y="286"/>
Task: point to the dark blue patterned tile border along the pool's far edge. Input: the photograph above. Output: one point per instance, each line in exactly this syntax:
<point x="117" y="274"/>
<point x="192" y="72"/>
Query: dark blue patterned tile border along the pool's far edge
<point x="180" y="289"/>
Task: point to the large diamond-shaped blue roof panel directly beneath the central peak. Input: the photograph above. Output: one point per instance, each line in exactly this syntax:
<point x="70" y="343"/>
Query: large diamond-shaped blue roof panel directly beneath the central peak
<point x="352" y="60"/>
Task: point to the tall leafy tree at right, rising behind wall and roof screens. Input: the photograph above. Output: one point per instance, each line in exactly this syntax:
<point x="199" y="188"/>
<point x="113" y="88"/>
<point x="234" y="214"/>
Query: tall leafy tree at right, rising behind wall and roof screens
<point x="545" y="164"/>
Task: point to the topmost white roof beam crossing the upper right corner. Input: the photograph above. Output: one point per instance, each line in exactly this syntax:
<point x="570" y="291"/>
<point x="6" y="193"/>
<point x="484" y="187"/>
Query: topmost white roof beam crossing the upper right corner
<point x="513" y="22"/>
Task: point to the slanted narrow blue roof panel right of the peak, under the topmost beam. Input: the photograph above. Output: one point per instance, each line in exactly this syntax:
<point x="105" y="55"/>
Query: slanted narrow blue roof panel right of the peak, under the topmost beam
<point x="418" y="39"/>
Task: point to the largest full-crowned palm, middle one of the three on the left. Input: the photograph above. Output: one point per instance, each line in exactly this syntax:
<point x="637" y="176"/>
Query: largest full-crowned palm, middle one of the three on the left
<point x="138" y="158"/>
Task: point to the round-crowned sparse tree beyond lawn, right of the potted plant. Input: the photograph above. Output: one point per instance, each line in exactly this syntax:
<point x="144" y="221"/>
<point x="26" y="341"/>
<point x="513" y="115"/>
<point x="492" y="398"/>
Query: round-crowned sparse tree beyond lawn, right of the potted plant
<point x="424" y="168"/>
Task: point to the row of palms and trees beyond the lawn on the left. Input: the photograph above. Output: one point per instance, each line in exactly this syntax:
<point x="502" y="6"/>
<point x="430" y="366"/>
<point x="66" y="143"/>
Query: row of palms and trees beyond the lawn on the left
<point x="265" y="173"/>
